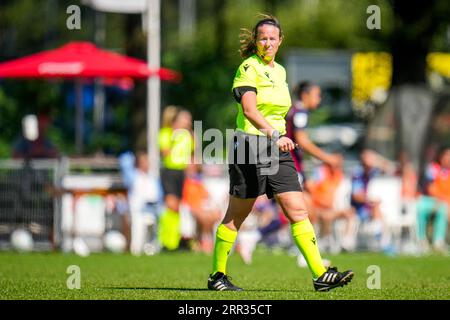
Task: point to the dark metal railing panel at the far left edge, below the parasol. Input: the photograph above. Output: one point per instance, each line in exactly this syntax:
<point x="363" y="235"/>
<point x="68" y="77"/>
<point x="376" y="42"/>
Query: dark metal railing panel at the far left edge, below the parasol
<point x="27" y="201"/>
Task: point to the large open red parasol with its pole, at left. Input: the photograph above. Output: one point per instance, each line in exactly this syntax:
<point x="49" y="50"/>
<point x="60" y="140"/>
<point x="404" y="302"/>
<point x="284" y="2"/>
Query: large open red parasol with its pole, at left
<point x="81" y="60"/>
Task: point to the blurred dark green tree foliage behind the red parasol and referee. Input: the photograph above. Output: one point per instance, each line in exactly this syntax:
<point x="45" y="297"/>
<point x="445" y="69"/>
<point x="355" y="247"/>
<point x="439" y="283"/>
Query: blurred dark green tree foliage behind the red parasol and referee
<point x="207" y="58"/>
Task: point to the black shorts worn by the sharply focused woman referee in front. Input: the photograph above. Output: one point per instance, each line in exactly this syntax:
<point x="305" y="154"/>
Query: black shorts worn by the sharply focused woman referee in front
<point x="255" y="170"/>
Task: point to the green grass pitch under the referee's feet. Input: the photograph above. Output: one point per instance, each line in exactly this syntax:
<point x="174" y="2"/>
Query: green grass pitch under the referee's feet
<point x="183" y="275"/>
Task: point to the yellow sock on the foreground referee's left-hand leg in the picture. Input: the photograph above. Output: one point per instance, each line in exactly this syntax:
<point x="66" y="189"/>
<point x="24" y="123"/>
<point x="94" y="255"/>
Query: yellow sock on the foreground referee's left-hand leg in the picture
<point x="224" y="242"/>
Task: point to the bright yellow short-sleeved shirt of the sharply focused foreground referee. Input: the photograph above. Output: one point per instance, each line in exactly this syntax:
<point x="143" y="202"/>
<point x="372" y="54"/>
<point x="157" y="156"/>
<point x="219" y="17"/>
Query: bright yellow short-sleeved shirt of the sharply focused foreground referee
<point x="272" y="93"/>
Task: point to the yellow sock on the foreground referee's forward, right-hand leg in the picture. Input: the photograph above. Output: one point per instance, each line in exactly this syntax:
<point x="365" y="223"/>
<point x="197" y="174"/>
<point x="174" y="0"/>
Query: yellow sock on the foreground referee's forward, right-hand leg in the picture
<point x="305" y="239"/>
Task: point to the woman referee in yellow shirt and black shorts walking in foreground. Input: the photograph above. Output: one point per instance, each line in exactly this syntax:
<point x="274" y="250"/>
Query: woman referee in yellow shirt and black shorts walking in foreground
<point x="263" y="98"/>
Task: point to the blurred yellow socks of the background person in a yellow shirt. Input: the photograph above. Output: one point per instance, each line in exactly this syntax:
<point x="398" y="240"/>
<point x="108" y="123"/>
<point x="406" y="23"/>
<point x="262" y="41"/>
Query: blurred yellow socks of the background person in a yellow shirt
<point x="169" y="234"/>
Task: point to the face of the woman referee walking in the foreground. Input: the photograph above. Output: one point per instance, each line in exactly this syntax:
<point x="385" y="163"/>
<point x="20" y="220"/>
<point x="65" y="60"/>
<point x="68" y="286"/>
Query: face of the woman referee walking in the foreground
<point x="267" y="41"/>
